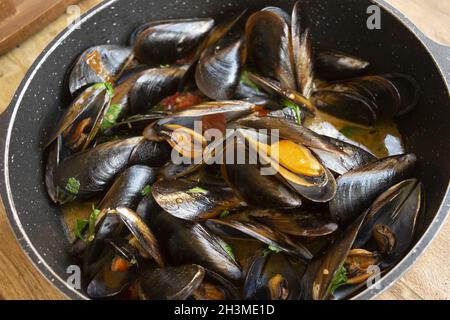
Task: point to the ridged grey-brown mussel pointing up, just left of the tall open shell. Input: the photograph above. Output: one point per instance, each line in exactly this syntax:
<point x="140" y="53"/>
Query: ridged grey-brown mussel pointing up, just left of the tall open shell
<point x="219" y="69"/>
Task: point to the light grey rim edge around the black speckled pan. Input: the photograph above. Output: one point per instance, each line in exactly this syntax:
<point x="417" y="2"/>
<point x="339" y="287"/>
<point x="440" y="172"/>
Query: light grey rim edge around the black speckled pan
<point x="39" y="262"/>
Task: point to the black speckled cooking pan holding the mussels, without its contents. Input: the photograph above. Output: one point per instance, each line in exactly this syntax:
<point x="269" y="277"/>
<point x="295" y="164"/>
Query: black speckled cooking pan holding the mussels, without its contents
<point x="38" y="103"/>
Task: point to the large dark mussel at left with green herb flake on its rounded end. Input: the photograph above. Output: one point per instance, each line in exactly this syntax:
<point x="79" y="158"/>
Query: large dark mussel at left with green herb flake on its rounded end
<point x="88" y="174"/>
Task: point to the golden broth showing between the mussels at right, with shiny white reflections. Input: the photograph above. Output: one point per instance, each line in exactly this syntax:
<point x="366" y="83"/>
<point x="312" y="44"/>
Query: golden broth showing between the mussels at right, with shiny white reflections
<point x="382" y="140"/>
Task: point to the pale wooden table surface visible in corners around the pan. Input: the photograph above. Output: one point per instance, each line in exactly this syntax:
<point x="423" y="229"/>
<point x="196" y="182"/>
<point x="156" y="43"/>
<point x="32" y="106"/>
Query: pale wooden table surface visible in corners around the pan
<point x="429" y="278"/>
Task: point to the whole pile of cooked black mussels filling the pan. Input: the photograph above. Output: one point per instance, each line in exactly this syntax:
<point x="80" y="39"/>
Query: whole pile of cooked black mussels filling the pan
<point x="331" y="217"/>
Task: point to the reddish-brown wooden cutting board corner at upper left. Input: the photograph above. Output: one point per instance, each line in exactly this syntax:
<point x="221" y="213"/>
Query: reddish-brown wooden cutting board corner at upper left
<point x="20" y="19"/>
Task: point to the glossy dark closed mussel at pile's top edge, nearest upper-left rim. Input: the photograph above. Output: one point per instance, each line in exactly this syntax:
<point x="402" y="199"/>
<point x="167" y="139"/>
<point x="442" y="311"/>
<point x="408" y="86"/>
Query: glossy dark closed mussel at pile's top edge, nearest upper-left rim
<point x="168" y="41"/>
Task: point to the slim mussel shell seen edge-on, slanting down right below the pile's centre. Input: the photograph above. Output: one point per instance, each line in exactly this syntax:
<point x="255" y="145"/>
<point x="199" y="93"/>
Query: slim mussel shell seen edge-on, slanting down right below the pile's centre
<point x="268" y="235"/>
